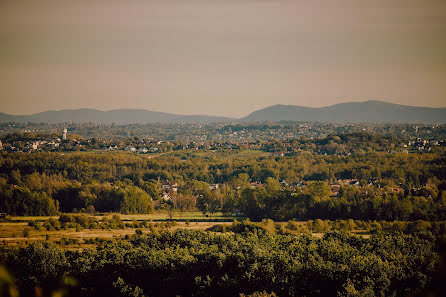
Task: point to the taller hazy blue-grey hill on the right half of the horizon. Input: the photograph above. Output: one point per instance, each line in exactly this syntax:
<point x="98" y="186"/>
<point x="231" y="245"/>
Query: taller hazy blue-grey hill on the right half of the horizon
<point x="368" y="111"/>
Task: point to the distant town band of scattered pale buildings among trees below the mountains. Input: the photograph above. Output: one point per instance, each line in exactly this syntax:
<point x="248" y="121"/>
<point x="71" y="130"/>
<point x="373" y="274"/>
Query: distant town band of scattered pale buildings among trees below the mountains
<point x="282" y="140"/>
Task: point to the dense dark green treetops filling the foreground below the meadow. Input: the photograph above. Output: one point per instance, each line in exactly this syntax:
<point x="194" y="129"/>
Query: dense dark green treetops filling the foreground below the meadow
<point x="196" y="263"/>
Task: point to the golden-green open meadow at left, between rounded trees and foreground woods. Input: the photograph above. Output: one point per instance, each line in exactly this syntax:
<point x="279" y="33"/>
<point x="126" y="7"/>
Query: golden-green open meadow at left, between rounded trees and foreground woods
<point x="16" y="230"/>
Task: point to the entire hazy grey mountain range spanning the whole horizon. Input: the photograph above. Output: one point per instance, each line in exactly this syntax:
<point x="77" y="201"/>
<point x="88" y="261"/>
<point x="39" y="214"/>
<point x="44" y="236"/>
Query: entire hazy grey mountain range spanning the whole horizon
<point x="367" y="111"/>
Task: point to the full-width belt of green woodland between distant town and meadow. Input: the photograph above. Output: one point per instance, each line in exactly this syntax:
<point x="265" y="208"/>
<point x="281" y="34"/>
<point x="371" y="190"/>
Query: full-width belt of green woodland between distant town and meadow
<point x="46" y="183"/>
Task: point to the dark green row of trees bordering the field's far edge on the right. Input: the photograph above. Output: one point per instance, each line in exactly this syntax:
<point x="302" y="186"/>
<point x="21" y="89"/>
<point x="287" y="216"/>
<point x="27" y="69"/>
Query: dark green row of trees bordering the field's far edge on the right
<point x="314" y="201"/>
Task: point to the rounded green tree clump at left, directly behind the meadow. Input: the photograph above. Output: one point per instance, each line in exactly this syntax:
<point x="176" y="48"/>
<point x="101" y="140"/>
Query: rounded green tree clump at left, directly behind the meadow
<point x="68" y="197"/>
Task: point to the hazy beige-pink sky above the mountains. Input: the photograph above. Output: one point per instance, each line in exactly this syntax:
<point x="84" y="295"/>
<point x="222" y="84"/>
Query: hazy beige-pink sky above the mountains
<point x="219" y="57"/>
